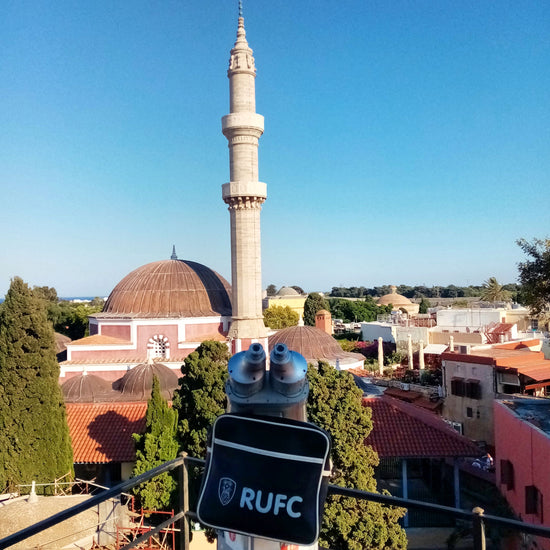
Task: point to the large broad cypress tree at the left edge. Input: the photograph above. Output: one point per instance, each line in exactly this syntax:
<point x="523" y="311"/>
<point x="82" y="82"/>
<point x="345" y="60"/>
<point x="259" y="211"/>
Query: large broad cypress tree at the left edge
<point x="34" y="435"/>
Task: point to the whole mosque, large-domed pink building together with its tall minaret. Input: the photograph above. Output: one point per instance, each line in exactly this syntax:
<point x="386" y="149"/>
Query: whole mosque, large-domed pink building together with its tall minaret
<point x="163" y="310"/>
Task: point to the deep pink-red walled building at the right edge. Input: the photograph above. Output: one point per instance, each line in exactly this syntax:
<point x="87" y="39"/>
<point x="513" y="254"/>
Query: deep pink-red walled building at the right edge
<point x="522" y="447"/>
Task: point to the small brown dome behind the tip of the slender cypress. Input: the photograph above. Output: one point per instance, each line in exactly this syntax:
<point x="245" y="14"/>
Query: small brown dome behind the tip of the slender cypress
<point x="137" y="383"/>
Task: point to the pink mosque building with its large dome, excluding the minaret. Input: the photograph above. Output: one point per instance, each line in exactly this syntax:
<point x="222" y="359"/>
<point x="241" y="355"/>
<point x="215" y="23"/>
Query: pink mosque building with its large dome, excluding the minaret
<point x="161" y="311"/>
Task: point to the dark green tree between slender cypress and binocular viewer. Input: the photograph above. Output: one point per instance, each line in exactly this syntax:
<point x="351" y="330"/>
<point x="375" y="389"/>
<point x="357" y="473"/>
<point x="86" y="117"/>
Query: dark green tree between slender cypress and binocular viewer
<point x="201" y="398"/>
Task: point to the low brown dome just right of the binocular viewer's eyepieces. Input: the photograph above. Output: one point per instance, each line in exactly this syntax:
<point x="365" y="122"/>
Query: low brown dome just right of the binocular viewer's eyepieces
<point x="315" y="345"/>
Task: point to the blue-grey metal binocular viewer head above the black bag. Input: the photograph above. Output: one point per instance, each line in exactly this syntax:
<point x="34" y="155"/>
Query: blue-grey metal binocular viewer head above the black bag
<point x="281" y="391"/>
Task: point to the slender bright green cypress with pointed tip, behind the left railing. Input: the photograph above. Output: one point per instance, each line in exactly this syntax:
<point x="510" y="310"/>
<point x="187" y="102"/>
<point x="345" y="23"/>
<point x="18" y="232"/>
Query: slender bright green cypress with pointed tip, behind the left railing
<point x="157" y="445"/>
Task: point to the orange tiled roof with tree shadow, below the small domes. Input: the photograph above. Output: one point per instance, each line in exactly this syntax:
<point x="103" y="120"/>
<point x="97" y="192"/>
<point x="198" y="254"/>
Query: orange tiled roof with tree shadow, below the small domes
<point x="102" y="432"/>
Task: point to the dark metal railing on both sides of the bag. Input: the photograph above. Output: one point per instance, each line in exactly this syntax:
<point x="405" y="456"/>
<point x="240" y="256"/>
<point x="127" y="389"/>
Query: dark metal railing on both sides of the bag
<point x="476" y="517"/>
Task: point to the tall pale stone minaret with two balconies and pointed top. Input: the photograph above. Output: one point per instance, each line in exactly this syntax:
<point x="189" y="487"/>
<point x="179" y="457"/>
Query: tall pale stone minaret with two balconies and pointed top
<point x="244" y="194"/>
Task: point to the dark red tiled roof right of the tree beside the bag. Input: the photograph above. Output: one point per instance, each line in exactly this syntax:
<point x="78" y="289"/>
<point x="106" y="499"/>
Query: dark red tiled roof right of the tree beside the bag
<point x="403" y="430"/>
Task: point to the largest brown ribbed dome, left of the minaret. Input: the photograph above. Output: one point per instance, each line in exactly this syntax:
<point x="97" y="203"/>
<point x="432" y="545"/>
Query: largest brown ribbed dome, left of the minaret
<point x="170" y="288"/>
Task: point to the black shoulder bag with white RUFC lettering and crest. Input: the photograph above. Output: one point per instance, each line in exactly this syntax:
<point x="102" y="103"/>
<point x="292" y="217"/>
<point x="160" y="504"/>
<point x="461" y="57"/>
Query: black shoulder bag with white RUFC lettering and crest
<point x="263" y="478"/>
